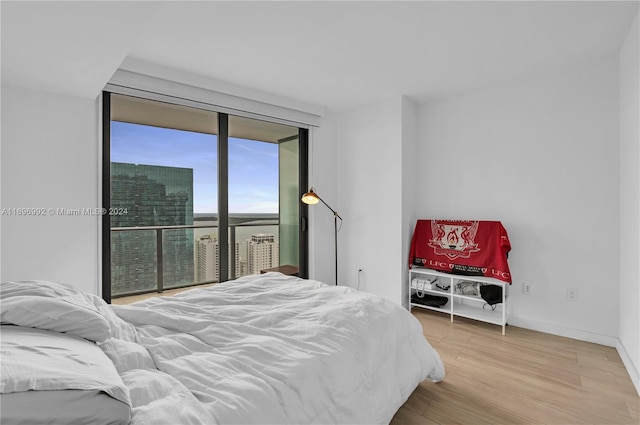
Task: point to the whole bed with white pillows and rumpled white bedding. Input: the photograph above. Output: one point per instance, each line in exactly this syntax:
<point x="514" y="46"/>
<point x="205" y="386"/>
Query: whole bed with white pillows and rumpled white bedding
<point x="262" y="349"/>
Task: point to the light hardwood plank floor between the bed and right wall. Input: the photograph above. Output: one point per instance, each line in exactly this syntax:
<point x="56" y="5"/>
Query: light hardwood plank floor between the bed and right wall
<point x="524" y="377"/>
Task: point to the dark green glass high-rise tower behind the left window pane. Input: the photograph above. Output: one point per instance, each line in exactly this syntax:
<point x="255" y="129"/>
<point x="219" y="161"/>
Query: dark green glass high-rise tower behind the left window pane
<point x="152" y="196"/>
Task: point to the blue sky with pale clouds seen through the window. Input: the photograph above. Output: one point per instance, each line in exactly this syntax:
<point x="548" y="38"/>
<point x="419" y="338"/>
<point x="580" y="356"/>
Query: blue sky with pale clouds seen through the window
<point x="253" y="166"/>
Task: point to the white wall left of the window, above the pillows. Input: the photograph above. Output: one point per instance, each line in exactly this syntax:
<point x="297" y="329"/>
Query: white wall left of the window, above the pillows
<point x="49" y="160"/>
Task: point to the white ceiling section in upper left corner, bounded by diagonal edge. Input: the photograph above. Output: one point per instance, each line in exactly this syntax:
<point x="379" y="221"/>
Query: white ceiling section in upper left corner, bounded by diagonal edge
<point x="70" y="47"/>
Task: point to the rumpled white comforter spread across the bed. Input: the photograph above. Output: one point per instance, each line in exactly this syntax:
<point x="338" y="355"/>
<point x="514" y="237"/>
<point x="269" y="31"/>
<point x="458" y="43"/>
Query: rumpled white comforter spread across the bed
<point x="271" y="349"/>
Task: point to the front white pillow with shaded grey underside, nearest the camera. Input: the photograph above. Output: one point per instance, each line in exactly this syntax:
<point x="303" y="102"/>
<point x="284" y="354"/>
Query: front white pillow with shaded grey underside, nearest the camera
<point x="59" y="377"/>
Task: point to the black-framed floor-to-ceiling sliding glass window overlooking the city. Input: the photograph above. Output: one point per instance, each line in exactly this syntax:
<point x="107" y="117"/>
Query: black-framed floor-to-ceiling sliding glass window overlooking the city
<point x="197" y="196"/>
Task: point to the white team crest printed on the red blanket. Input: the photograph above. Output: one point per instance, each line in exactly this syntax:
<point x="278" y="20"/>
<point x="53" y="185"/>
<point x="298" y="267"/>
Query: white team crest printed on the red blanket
<point x="454" y="238"/>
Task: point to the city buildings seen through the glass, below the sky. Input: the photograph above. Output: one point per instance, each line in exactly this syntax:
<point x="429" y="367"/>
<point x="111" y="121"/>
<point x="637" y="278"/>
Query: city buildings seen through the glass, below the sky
<point x="141" y="260"/>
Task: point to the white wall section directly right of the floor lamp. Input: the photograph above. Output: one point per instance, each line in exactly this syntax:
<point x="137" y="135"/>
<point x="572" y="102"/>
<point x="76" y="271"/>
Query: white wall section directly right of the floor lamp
<point x="369" y="168"/>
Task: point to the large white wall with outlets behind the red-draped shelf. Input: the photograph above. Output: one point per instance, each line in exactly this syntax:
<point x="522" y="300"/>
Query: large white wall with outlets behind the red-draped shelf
<point x="540" y="155"/>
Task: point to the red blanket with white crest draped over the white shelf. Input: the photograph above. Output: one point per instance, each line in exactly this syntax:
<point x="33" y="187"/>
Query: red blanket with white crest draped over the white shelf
<point x="472" y="248"/>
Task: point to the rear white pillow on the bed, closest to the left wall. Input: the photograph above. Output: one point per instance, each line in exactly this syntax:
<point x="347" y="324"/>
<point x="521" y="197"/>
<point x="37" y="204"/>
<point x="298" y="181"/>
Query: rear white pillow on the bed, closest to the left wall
<point x="53" y="306"/>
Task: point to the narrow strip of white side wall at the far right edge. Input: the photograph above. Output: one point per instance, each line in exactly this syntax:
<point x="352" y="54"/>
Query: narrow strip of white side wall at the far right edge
<point x="630" y="203"/>
